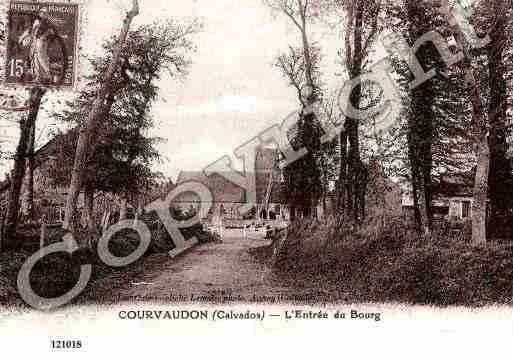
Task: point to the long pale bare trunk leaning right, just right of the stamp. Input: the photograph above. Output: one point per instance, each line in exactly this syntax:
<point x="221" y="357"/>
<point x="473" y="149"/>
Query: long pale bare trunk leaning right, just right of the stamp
<point x="89" y="126"/>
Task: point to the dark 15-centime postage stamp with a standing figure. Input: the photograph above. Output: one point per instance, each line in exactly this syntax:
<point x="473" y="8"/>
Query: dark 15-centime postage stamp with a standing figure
<point x="42" y="44"/>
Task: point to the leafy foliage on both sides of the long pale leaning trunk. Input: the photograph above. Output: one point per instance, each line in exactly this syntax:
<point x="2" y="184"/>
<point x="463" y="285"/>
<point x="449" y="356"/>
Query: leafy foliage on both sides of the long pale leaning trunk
<point x="124" y="154"/>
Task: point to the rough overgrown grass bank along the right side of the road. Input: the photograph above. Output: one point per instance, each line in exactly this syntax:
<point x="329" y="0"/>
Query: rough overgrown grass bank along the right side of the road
<point x="389" y="262"/>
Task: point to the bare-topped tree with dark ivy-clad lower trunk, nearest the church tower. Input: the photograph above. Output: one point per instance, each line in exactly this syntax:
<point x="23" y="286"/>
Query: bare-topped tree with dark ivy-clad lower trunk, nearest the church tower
<point x="300" y="66"/>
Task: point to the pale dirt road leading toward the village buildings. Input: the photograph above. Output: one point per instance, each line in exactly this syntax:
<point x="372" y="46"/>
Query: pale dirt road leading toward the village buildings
<point x="215" y="272"/>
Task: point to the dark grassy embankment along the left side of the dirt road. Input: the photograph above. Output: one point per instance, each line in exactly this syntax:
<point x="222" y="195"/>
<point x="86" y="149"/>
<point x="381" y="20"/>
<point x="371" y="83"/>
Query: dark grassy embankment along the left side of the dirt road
<point x="56" y="274"/>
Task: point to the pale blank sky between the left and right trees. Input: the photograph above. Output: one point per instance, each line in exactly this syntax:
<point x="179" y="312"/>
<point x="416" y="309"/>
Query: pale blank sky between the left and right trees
<point x="232" y="92"/>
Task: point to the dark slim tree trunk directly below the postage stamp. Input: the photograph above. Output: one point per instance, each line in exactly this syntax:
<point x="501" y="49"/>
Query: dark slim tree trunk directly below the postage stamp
<point x="11" y="221"/>
